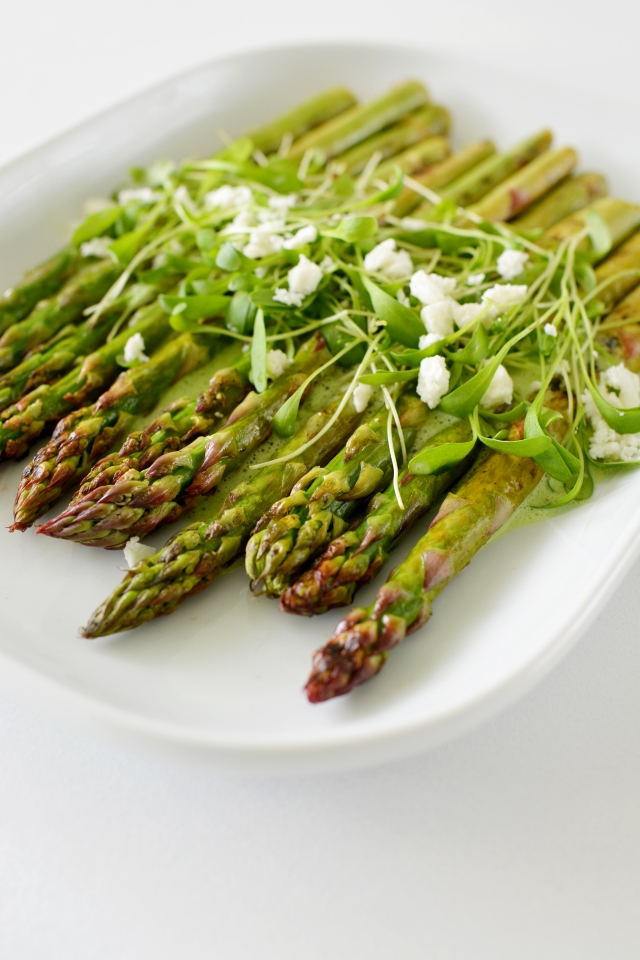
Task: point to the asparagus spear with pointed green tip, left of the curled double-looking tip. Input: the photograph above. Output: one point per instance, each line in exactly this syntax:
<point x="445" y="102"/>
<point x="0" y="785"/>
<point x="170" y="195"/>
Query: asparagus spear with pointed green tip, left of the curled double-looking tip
<point x="199" y="553"/>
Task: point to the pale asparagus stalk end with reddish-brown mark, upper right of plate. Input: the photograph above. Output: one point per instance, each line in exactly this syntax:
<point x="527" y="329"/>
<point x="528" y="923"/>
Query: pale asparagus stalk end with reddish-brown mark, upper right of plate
<point x="520" y="190"/>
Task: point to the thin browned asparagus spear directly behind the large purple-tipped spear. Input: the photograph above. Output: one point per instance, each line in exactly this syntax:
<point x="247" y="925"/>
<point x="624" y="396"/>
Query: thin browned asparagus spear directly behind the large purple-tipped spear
<point x="173" y="428"/>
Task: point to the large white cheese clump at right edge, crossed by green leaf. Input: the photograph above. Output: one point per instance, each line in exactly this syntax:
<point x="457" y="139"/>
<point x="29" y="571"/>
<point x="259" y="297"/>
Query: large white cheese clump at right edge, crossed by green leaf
<point x="621" y="388"/>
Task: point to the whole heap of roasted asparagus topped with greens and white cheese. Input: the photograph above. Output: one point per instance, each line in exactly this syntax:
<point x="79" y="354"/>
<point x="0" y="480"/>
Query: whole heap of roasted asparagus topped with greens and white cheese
<point x="301" y="228"/>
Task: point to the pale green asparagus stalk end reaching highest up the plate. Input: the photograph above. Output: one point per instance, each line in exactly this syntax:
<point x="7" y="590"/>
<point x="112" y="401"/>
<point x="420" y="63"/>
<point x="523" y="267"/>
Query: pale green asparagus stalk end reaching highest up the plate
<point x="358" y="123"/>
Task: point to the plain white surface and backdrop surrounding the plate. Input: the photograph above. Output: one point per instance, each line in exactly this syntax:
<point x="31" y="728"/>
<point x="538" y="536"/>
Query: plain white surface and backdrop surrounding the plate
<point x="520" y="840"/>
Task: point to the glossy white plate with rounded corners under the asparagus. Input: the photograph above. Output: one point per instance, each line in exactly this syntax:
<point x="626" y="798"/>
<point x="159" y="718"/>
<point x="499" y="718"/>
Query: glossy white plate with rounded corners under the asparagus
<point x="225" y="672"/>
